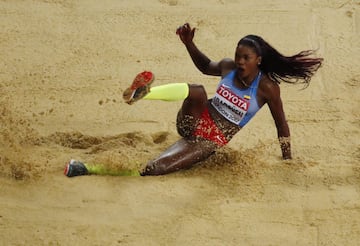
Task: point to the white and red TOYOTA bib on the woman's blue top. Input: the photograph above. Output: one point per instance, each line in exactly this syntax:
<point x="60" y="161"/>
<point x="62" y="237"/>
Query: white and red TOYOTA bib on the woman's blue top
<point x="229" y="105"/>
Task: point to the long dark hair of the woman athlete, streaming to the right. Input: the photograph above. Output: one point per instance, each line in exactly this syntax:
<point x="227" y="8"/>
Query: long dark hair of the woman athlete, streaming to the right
<point x="298" y="68"/>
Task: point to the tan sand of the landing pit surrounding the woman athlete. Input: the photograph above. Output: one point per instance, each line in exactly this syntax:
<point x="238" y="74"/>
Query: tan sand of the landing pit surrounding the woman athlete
<point x="64" y="65"/>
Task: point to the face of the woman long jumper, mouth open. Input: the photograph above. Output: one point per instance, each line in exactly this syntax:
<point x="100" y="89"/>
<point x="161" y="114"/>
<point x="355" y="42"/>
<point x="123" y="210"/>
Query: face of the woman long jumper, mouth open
<point x="247" y="61"/>
